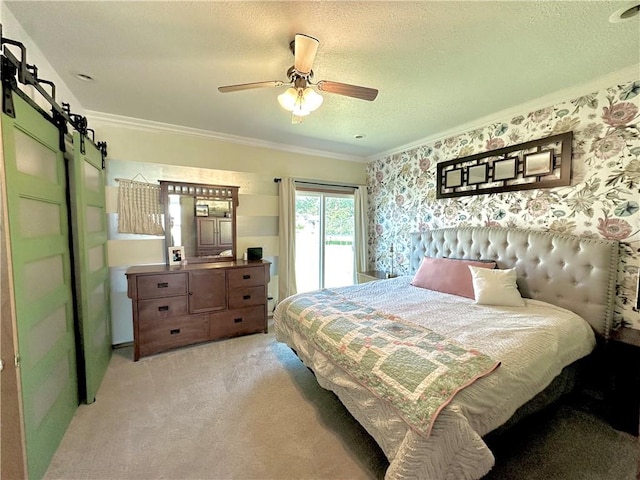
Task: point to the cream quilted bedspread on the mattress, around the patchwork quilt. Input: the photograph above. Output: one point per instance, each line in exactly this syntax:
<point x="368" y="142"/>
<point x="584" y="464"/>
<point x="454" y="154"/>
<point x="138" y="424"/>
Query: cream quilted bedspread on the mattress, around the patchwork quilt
<point x="532" y="343"/>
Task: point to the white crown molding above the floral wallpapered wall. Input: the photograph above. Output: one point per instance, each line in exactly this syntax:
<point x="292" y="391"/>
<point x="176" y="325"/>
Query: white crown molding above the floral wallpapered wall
<point x="621" y="76"/>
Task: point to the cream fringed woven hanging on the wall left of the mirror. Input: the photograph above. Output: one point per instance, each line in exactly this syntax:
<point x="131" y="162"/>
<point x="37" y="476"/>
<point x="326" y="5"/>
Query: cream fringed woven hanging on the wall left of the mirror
<point x="139" y="208"/>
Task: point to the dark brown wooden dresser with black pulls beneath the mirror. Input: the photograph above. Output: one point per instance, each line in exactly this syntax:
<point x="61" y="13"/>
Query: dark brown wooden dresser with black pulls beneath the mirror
<point x="182" y="305"/>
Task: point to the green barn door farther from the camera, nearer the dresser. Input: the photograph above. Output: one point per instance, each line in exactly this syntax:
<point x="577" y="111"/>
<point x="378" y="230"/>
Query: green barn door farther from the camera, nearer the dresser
<point x="88" y="212"/>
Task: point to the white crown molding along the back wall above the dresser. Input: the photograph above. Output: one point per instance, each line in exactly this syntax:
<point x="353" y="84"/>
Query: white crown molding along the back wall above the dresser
<point x="152" y="126"/>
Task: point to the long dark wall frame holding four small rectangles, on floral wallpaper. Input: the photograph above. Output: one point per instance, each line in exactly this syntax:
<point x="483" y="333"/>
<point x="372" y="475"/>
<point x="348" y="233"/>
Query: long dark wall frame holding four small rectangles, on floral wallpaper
<point x="542" y="163"/>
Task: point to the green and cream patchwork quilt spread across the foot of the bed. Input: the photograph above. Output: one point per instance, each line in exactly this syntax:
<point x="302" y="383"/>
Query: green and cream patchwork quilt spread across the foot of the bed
<point x="415" y="369"/>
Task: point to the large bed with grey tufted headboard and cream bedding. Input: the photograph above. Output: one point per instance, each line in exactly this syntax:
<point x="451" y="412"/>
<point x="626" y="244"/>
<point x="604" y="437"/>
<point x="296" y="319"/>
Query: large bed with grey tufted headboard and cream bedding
<point x="501" y="362"/>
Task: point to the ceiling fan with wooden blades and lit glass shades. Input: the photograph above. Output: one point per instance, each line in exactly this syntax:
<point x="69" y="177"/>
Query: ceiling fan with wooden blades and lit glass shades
<point x="300" y="99"/>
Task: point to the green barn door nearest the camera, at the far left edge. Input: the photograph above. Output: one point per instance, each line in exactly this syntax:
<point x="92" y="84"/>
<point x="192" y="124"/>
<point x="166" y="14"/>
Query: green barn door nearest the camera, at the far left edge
<point x="39" y="235"/>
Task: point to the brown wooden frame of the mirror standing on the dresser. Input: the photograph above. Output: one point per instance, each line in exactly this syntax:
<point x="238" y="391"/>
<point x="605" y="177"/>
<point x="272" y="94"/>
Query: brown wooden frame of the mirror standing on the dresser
<point x="199" y="190"/>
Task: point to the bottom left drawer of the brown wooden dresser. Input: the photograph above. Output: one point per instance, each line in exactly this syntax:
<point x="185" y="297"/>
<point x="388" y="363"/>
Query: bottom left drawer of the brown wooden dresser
<point x="163" y="334"/>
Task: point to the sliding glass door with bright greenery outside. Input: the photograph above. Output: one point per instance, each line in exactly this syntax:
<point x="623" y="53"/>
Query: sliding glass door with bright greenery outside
<point x="325" y="239"/>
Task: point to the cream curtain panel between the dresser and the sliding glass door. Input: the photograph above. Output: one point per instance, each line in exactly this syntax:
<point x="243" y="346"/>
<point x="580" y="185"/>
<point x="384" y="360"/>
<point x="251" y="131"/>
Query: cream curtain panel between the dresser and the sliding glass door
<point x="287" y="234"/>
